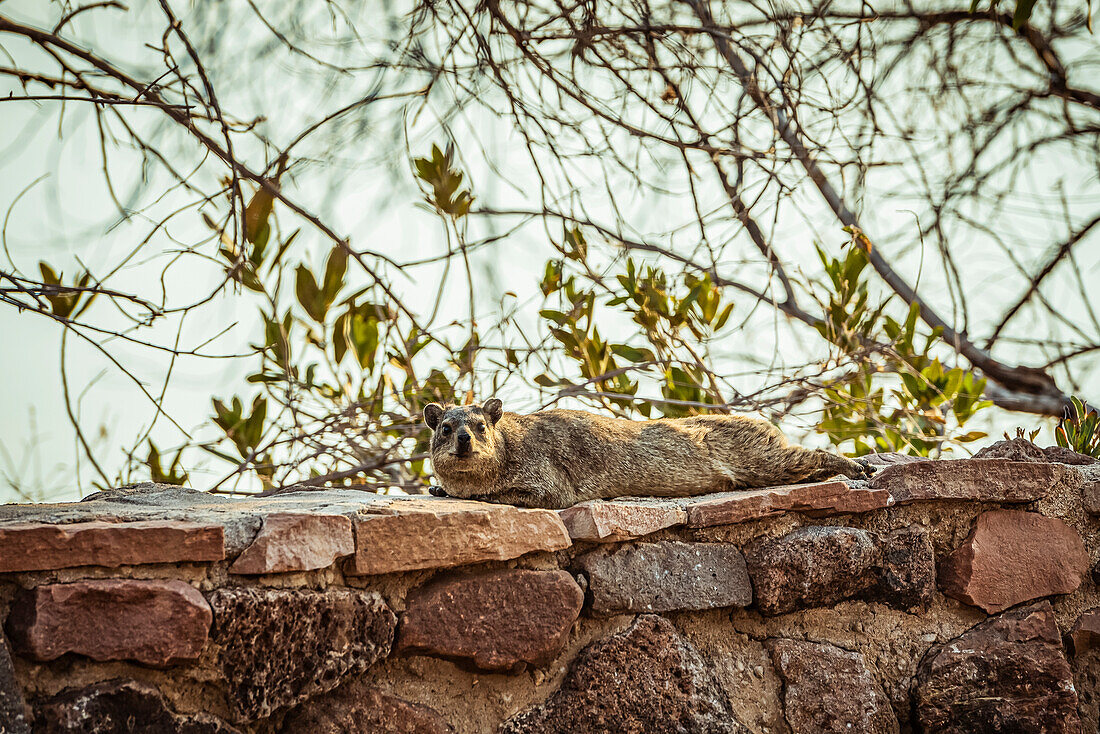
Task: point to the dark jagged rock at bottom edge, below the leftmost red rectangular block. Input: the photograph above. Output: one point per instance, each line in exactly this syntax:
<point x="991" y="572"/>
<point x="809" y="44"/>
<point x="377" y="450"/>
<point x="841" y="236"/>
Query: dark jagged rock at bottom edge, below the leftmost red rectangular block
<point x="120" y="707"/>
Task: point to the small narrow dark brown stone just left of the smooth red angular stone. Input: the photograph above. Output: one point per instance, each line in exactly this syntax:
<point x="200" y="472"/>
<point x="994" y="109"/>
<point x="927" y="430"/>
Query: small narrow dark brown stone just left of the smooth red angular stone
<point x="908" y="575"/>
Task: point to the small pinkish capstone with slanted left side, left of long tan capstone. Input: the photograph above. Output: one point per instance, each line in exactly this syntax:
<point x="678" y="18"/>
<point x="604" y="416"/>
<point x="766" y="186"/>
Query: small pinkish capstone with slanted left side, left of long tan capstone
<point x="296" y="542"/>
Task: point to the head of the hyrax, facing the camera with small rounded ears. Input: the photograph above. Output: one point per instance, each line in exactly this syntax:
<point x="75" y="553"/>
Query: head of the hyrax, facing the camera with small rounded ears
<point x="464" y="440"/>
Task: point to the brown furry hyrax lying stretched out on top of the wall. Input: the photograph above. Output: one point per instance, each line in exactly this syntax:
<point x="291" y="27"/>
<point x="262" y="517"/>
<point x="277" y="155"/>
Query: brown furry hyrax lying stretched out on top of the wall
<point x="558" y="458"/>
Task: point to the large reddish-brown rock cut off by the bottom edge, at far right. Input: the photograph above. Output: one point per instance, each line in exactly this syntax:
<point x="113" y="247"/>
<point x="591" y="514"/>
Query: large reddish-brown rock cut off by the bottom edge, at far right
<point x="1007" y="675"/>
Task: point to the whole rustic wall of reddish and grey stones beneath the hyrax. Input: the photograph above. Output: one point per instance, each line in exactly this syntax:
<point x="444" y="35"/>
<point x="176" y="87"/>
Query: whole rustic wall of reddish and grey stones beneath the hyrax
<point x="939" y="597"/>
